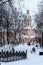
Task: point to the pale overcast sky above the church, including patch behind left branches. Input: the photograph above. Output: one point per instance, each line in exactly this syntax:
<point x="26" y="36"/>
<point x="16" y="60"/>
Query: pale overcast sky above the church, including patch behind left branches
<point x="28" y="4"/>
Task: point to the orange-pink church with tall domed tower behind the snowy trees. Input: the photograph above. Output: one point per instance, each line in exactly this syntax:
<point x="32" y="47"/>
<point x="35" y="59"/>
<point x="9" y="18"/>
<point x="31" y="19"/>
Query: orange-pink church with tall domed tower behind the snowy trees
<point x="28" y="33"/>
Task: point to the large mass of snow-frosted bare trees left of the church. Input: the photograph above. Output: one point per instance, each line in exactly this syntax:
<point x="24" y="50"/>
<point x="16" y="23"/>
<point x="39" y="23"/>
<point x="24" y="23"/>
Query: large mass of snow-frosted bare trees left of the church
<point x="10" y="21"/>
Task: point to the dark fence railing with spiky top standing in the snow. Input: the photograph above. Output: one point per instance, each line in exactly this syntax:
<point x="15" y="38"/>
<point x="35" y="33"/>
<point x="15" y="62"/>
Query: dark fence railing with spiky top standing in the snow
<point x="12" y="56"/>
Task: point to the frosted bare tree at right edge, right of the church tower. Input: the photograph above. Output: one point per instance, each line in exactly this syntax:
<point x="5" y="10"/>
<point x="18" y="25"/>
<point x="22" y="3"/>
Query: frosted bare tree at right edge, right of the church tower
<point x="39" y="18"/>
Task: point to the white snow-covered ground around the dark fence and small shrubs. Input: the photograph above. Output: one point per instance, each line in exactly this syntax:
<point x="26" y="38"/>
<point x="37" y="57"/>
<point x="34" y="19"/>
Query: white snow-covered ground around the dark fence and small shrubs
<point x="32" y="58"/>
